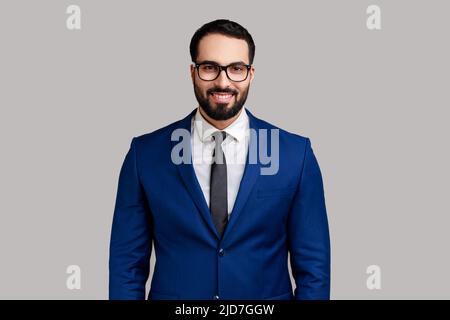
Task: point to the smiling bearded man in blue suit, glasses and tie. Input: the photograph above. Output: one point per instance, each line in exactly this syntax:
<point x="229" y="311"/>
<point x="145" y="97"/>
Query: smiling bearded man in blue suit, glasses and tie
<point x="222" y="227"/>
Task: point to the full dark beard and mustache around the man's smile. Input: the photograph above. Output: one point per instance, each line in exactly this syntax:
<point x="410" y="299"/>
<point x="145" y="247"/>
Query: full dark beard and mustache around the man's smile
<point x="220" y="111"/>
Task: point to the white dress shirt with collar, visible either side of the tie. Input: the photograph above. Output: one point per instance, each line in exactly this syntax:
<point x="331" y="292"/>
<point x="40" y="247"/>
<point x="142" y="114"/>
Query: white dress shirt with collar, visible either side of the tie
<point x="235" y="148"/>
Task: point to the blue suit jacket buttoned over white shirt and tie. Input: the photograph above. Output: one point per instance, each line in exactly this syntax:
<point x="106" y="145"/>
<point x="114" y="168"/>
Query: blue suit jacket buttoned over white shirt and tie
<point x="162" y="203"/>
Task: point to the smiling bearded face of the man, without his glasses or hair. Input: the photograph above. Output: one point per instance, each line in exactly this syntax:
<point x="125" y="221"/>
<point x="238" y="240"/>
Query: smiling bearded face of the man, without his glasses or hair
<point x="214" y="96"/>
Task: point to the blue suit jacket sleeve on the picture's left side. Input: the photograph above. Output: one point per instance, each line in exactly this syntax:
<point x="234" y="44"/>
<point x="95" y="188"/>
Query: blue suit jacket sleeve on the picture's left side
<point x="131" y="238"/>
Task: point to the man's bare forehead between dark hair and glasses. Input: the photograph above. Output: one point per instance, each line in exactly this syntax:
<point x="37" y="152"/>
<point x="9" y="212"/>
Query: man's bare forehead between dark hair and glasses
<point x="222" y="49"/>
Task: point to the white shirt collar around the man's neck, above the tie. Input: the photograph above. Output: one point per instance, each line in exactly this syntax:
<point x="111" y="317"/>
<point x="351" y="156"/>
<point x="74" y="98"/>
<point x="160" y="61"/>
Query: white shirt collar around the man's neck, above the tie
<point x="237" y="129"/>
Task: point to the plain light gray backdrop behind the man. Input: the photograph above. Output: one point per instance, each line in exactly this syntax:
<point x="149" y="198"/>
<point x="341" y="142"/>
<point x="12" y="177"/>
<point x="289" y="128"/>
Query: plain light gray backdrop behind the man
<point x="374" y="103"/>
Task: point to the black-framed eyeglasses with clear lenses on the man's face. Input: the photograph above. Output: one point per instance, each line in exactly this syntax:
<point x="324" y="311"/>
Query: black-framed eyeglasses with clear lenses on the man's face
<point x="209" y="71"/>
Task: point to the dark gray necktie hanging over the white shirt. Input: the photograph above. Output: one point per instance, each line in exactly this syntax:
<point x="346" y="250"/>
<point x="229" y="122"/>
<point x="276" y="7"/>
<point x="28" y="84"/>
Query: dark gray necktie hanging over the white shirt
<point x="218" y="184"/>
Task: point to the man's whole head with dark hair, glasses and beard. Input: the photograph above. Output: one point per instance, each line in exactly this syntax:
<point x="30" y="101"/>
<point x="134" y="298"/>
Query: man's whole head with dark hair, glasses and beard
<point x="222" y="43"/>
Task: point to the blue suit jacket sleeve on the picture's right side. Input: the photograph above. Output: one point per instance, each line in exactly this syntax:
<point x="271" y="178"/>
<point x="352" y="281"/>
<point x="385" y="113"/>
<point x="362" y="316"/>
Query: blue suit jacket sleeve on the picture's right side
<point x="308" y="234"/>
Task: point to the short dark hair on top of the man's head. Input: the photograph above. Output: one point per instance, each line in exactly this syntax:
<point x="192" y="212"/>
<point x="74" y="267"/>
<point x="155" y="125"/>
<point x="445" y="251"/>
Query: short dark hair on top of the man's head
<point x="226" y="28"/>
